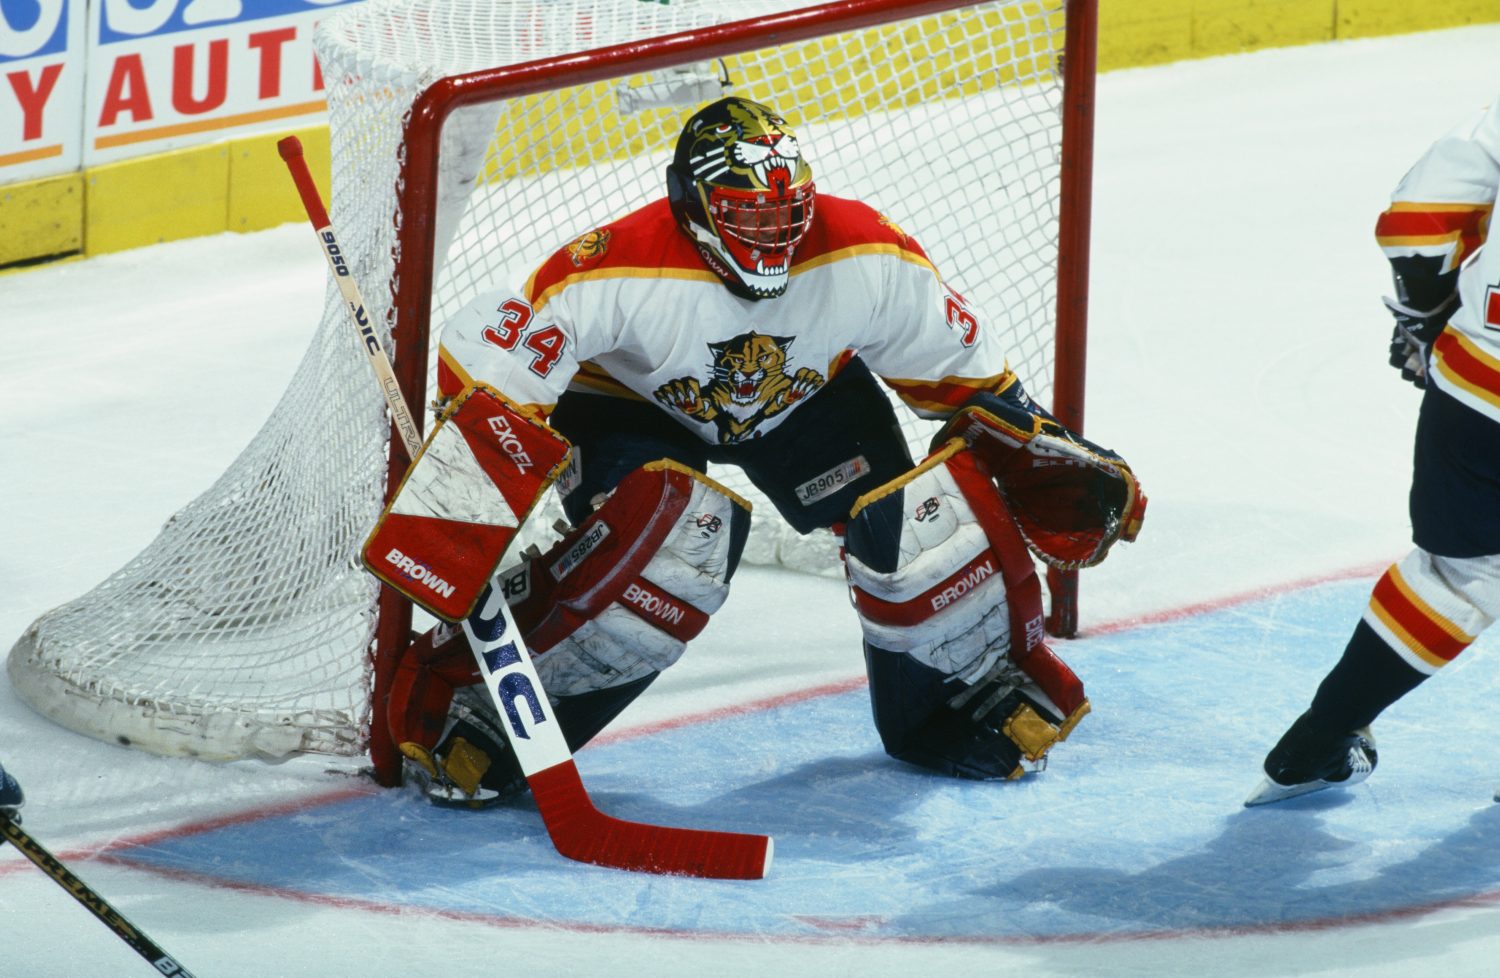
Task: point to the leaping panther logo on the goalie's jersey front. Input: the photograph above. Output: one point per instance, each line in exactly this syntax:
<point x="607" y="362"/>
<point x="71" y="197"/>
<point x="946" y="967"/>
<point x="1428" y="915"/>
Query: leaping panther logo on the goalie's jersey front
<point x="751" y="383"/>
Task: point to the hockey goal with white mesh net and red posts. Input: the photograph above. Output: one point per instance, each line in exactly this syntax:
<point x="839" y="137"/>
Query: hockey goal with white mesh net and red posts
<point x="470" y="139"/>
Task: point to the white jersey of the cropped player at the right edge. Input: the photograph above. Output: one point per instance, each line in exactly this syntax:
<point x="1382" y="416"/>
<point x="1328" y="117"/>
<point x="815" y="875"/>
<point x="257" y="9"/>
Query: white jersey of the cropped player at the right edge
<point x="1441" y="212"/>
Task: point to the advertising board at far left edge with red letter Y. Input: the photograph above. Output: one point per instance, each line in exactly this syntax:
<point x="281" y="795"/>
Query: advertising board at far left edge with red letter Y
<point x="41" y="88"/>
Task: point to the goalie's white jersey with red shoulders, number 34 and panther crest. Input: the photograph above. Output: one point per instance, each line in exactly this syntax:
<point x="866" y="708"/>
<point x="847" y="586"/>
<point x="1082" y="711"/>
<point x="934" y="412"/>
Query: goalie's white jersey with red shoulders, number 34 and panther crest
<point x="631" y="310"/>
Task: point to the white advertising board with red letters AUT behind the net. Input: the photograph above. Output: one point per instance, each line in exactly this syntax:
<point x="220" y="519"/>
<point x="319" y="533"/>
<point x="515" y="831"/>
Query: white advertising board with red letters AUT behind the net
<point x="167" y="74"/>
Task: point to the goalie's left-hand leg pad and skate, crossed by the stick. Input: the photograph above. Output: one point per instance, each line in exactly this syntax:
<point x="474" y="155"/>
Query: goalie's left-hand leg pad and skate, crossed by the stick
<point x="605" y="610"/>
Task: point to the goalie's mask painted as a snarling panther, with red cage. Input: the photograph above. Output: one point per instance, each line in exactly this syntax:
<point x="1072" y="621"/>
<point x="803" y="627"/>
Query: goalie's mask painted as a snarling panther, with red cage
<point x="742" y="190"/>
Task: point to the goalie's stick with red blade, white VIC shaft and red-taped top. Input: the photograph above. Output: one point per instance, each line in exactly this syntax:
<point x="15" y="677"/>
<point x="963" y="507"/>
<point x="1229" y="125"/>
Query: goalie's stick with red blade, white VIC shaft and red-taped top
<point x="578" y="830"/>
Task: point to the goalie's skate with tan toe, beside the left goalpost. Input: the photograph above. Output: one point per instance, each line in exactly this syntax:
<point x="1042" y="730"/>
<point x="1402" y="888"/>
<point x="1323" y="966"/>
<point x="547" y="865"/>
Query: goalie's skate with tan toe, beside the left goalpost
<point x="472" y="767"/>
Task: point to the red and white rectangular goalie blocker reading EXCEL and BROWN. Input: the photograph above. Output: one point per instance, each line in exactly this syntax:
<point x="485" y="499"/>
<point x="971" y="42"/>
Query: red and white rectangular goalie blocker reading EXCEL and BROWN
<point x="463" y="502"/>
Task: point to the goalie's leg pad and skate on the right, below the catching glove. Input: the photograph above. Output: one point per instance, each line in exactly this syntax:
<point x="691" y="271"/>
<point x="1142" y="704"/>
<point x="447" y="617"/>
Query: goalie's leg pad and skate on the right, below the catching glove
<point x="950" y="605"/>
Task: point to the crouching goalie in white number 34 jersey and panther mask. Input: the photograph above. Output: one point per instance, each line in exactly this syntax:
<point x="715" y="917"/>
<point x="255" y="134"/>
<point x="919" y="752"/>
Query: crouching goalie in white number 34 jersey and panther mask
<point x="745" y="320"/>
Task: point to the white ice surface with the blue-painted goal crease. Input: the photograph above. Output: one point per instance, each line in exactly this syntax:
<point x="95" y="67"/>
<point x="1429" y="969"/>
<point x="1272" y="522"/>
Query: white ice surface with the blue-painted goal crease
<point x="1237" y="361"/>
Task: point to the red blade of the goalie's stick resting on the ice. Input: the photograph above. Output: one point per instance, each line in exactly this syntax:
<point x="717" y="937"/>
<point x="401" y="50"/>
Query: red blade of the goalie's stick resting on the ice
<point x="584" y="833"/>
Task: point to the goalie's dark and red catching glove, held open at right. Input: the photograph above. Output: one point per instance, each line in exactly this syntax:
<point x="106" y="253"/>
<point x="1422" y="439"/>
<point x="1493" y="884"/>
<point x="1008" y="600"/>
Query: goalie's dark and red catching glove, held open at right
<point x="1070" y="499"/>
